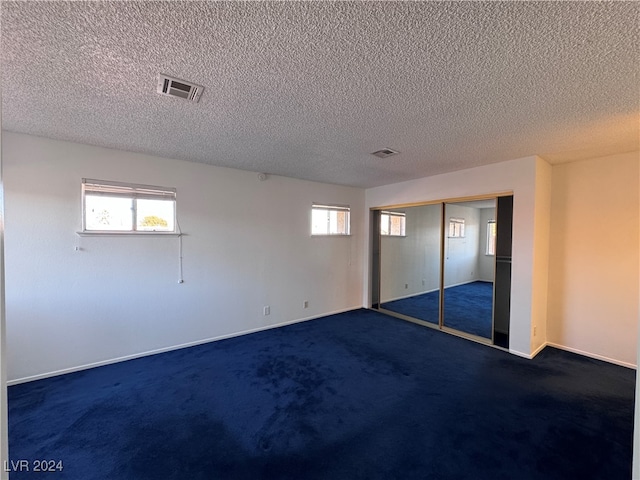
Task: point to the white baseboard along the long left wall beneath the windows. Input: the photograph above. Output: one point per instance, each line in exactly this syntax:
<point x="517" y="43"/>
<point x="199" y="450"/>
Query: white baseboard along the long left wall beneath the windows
<point x="101" y="363"/>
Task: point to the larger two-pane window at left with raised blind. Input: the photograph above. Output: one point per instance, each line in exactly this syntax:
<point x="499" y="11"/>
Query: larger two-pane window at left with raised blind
<point x="115" y="207"/>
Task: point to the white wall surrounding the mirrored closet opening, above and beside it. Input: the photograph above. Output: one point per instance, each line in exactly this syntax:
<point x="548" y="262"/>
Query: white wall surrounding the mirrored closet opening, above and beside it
<point x="517" y="176"/>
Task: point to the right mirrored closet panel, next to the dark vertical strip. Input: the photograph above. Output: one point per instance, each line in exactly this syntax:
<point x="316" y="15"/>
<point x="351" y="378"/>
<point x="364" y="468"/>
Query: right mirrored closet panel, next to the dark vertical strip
<point x="469" y="266"/>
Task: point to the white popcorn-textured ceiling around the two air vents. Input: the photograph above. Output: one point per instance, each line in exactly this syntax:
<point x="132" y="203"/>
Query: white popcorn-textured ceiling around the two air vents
<point x="309" y="89"/>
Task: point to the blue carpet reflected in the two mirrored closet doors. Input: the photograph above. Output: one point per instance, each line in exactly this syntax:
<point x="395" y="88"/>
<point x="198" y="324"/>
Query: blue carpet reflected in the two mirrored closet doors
<point x="468" y="307"/>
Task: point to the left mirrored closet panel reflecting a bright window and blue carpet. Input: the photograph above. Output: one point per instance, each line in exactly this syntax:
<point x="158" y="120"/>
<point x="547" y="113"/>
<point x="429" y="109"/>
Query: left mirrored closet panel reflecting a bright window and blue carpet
<point x="410" y="244"/>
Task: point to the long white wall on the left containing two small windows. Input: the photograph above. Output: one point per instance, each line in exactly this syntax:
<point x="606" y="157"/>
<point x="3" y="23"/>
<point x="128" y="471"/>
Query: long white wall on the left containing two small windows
<point x="246" y="245"/>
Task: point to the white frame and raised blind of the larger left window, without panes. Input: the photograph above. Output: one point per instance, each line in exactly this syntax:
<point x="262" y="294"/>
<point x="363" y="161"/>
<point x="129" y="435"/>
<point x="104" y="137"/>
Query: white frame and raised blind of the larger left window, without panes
<point x="133" y="192"/>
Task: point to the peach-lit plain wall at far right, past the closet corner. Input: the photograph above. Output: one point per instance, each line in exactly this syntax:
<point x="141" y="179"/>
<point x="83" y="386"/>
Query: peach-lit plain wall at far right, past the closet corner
<point x="593" y="267"/>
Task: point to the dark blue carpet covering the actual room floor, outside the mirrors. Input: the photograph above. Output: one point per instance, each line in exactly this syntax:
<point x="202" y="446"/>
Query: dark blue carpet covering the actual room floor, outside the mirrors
<point x="358" y="395"/>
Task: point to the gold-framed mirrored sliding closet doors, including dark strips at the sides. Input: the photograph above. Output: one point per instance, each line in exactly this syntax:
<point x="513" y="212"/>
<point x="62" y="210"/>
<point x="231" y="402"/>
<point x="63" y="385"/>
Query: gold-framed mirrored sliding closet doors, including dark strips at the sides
<point x="435" y="264"/>
